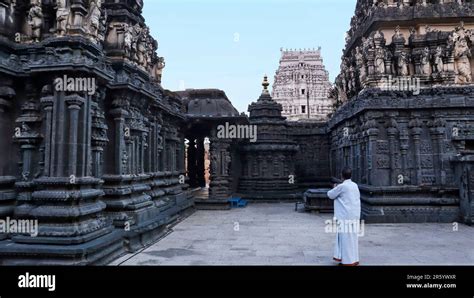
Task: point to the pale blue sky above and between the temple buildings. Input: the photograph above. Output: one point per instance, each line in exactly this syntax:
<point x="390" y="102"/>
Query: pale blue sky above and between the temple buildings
<point x="231" y="44"/>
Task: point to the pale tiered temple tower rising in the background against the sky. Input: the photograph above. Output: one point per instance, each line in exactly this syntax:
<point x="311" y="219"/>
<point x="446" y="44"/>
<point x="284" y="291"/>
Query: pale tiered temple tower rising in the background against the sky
<point x="302" y="86"/>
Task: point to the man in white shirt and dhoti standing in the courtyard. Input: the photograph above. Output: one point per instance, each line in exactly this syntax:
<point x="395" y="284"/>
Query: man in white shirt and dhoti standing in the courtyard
<point x="346" y="198"/>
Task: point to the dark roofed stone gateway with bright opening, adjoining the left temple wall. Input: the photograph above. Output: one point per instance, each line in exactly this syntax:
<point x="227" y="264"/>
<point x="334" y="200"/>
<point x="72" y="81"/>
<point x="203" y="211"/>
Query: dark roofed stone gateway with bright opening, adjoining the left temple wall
<point x="211" y="162"/>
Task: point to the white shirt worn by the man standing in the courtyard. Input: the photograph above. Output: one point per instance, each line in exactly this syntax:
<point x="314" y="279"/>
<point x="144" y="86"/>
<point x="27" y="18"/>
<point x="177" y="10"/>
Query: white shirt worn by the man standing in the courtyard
<point x="346" y="198"/>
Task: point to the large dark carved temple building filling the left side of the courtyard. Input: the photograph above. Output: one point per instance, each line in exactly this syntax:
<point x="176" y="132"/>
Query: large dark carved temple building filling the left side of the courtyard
<point x="100" y="168"/>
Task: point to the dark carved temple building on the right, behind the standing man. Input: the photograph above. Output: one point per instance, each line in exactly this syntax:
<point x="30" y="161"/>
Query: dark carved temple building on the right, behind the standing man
<point x="404" y="98"/>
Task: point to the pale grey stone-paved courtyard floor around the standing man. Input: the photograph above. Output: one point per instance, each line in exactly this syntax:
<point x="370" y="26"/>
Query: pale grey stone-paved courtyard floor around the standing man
<point x="274" y="234"/>
